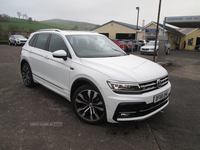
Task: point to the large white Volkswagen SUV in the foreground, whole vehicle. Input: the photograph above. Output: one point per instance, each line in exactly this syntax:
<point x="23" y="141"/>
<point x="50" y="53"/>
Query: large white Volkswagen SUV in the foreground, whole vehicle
<point x="97" y="76"/>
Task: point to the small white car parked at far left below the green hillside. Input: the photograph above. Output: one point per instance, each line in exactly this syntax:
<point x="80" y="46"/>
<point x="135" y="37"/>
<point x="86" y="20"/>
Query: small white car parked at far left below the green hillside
<point x="17" y="40"/>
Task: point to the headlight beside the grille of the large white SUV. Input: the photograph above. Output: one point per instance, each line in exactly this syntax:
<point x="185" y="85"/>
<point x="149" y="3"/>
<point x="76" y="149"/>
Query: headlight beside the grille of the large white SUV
<point x="124" y="87"/>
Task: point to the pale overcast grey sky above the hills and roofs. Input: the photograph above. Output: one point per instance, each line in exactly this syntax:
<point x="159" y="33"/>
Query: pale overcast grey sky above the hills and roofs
<point x="100" y="11"/>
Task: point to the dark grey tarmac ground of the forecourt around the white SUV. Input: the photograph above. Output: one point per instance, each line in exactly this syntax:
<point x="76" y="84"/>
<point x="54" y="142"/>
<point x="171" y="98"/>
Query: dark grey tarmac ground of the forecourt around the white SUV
<point x="37" y="118"/>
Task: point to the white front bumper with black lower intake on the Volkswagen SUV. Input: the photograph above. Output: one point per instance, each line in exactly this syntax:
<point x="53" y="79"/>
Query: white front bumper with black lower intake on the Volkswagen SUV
<point x="123" y="107"/>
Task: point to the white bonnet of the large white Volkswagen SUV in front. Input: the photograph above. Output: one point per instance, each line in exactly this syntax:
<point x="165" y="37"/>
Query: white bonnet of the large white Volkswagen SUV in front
<point x="126" y="68"/>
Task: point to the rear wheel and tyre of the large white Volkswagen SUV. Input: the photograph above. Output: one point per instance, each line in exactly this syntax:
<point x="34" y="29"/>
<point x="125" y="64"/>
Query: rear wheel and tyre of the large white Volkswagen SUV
<point x="27" y="75"/>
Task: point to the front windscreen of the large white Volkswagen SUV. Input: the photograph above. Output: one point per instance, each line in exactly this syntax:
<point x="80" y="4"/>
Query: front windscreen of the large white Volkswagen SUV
<point x="94" y="46"/>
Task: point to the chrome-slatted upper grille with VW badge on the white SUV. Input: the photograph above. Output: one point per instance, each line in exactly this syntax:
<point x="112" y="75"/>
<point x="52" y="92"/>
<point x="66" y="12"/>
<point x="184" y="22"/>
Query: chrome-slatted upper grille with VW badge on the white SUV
<point x="149" y="86"/>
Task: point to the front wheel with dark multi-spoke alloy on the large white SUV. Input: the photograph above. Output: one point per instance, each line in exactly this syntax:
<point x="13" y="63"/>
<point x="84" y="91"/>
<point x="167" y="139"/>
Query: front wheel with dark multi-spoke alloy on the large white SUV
<point x="88" y="105"/>
